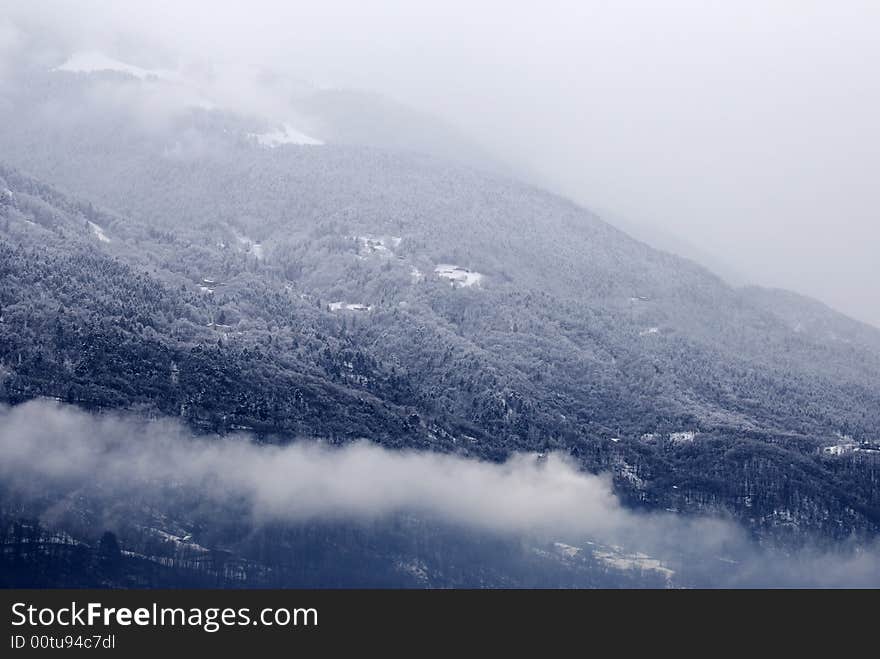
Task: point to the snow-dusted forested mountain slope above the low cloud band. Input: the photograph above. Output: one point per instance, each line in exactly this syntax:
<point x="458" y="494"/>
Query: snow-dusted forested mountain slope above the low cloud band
<point x="576" y="335"/>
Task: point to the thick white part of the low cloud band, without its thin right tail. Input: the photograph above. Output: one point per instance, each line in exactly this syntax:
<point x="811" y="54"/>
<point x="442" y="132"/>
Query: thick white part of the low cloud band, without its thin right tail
<point x="46" y="443"/>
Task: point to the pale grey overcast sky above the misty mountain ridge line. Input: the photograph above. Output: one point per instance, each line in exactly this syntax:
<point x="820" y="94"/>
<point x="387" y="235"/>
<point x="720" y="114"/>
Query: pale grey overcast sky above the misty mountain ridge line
<point x="748" y="128"/>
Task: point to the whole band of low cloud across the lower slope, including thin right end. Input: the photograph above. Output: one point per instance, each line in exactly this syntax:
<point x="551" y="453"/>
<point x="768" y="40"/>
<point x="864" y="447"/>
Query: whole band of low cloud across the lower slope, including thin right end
<point x="48" y="447"/>
